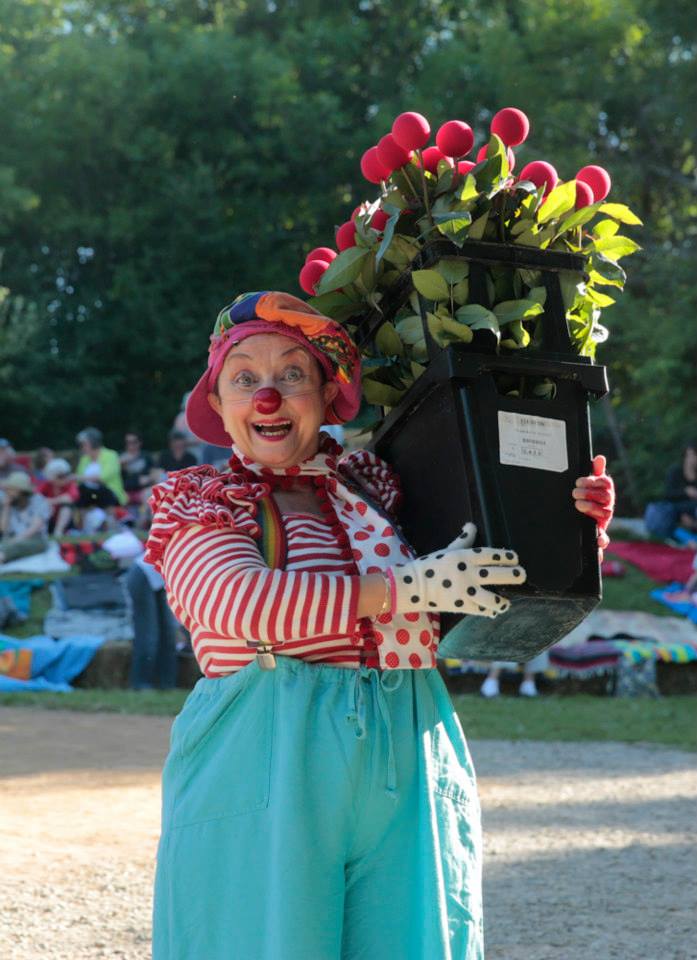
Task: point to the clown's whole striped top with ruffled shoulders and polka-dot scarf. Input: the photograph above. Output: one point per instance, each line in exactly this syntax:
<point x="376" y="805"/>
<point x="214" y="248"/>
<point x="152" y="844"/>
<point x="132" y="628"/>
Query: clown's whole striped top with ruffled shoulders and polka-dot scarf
<point x="203" y="540"/>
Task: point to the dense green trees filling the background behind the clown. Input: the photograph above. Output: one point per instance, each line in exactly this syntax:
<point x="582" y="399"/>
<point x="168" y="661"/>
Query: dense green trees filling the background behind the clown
<point x="159" y="156"/>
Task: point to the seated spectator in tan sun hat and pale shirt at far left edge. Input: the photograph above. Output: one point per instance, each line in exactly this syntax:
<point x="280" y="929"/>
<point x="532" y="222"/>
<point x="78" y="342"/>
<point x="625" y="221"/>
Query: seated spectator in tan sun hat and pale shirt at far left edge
<point x="24" y="518"/>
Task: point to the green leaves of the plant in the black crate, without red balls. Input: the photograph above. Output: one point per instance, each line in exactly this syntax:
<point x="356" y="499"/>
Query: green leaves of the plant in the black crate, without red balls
<point x="485" y="204"/>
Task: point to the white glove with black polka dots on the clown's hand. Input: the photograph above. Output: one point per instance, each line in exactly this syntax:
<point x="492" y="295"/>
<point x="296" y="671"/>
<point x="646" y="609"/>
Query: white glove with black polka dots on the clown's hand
<point x="454" y="581"/>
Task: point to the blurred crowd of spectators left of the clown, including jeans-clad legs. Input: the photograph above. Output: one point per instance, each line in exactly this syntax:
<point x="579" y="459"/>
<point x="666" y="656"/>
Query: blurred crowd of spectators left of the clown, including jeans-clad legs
<point x="95" y="492"/>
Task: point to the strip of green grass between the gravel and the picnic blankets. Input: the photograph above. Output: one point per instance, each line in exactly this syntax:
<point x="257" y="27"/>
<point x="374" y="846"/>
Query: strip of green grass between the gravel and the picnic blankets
<point x="671" y="721"/>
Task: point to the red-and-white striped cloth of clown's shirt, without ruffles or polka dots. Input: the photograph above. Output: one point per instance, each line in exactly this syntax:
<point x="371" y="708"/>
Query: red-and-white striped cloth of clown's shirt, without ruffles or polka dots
<point x="220" y="588"/>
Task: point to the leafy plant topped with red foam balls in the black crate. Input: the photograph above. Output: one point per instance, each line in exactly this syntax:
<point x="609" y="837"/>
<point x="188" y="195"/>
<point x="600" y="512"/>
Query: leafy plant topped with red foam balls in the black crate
<point x="426" y="195"/>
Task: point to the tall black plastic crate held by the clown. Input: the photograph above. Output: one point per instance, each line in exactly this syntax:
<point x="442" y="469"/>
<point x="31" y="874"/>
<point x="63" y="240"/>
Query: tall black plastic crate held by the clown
<point x="464" y="451"/>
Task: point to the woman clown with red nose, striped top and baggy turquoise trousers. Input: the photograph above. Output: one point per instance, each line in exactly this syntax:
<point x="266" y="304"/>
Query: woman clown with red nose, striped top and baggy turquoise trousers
<point x="319" y="799"/>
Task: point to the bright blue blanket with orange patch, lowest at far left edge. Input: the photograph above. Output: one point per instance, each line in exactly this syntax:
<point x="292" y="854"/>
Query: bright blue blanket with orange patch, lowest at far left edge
<point x="41" y="663"/>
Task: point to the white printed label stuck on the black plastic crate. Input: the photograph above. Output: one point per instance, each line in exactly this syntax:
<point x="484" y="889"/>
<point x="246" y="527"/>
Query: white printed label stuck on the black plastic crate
<point x="530" y="441"/>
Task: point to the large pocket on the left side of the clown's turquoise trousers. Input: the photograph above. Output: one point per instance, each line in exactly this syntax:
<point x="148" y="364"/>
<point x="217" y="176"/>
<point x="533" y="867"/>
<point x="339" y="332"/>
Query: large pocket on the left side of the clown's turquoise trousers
<point x="221" y="751"/>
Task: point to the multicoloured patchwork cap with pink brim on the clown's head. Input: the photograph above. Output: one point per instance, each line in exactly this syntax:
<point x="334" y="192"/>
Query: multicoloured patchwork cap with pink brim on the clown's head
<point x="282" y="313"/>
